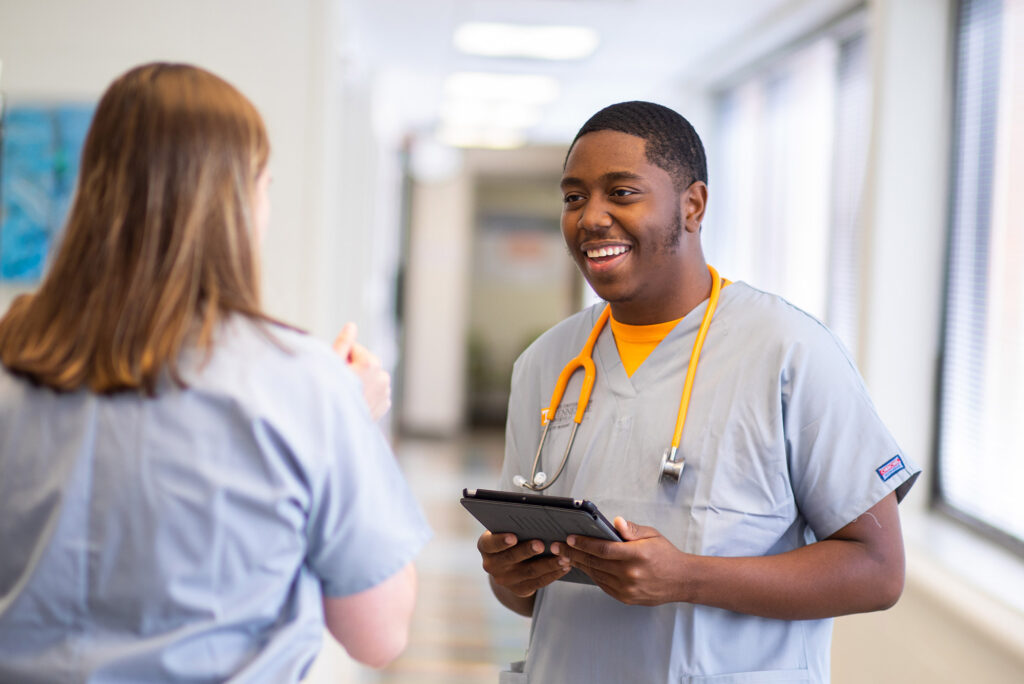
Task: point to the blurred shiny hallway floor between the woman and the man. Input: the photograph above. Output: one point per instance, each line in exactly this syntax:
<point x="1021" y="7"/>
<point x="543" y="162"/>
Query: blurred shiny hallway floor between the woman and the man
<point x="460" y="633"/>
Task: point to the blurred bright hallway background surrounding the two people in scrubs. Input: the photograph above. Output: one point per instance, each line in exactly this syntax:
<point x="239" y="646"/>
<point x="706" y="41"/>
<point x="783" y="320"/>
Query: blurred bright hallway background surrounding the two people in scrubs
<point x="866" y="159"/>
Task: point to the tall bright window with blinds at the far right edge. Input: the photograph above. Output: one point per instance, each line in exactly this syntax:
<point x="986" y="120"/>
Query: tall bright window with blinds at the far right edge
<point x="982" y="435"/>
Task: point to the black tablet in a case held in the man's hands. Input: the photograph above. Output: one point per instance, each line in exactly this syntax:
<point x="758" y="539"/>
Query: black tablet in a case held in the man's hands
<point x="533" y="517"/>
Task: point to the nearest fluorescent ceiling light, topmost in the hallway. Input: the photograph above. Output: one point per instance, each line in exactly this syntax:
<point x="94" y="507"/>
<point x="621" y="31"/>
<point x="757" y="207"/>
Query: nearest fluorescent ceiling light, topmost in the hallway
<point x="519" y="40"/>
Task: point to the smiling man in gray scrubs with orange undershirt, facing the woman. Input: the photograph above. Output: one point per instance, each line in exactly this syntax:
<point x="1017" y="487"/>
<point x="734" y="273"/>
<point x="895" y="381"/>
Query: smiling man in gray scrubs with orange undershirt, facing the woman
<point x="786" y="514"/>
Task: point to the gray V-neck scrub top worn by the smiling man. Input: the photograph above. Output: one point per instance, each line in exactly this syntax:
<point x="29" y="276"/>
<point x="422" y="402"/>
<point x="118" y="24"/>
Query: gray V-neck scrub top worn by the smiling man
<point x="783" y="448"/>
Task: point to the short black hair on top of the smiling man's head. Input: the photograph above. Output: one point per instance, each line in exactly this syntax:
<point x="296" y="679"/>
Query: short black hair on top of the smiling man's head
<point x="671" y="142"/>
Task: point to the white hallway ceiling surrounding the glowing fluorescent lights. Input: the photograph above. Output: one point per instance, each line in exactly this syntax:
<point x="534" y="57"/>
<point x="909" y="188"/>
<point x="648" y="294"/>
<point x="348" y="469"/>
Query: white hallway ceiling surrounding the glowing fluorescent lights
<point x="648" y="50"/>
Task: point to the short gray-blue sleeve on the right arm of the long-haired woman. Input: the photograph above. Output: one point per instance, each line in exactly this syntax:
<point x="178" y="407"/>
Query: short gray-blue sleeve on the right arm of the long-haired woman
<point x="365" y="525"/>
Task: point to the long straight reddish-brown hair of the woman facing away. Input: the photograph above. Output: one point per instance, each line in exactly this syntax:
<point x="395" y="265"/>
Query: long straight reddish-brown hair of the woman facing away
<point x="160" y="242"/>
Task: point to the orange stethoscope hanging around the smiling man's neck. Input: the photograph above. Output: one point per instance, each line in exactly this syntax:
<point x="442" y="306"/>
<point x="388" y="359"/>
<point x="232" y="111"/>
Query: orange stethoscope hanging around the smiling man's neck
<point x="672" y="468"/>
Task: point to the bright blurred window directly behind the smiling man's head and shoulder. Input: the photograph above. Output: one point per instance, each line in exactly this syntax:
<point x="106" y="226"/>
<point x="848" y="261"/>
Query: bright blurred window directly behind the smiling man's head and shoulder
<point x="788" y="176"/>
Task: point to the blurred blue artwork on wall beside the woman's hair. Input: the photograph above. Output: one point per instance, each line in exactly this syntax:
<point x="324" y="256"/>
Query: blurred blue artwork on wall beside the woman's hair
<point x="40" y="149"/>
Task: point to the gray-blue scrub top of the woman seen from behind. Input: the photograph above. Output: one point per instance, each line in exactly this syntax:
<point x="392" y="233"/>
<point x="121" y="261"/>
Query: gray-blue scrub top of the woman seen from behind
<point x="190" y="538"/>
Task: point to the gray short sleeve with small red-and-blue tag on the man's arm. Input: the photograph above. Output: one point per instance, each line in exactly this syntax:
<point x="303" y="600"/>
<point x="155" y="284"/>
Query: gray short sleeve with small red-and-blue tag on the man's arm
<point x="842" y="458"/>
